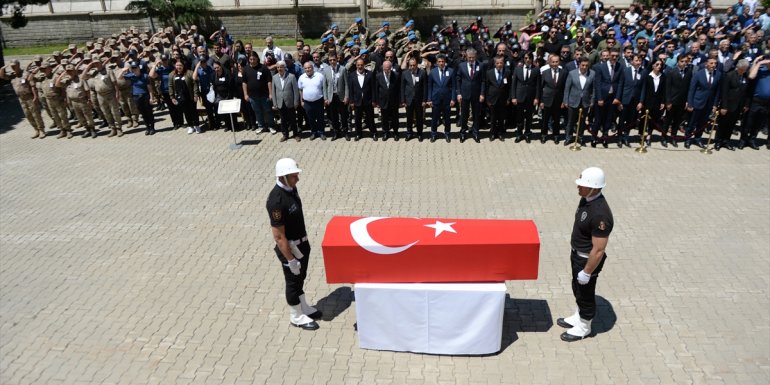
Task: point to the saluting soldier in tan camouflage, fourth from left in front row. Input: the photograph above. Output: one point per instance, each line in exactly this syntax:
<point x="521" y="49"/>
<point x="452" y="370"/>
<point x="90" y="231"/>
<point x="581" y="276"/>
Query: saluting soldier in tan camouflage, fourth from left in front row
<point x="102" y="82"/>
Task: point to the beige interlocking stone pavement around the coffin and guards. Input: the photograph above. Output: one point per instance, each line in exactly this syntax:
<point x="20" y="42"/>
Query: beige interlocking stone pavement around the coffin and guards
<point x="148" y="260"/>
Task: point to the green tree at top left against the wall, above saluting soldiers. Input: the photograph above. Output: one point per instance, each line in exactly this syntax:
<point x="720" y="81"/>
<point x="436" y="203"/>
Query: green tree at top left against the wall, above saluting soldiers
<point x="172" y="12"/>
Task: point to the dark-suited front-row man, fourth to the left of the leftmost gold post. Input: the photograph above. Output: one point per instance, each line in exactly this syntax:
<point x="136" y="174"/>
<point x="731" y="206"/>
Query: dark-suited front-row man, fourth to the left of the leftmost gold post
<point x="470" y="77"/>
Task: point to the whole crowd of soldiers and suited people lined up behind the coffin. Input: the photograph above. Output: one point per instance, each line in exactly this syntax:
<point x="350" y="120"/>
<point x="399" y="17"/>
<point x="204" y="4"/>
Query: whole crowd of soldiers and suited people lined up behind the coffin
<point x="589" y="72"/>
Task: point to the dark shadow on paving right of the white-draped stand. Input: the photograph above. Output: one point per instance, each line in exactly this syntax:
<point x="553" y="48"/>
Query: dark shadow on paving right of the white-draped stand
<point x="524" y="315"/>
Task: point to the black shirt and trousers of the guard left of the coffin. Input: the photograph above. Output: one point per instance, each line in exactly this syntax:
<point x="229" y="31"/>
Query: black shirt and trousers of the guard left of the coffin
<point x="285" y="209"/>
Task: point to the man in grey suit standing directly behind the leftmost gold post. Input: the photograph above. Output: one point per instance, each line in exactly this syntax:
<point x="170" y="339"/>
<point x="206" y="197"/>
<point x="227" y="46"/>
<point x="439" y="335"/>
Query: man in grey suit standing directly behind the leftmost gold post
<point x="579" y="96"/>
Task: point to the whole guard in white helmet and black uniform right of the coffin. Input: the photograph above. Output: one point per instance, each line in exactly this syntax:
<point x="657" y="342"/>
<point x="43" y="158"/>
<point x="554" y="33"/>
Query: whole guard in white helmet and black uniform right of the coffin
<point x="590" y="233"/>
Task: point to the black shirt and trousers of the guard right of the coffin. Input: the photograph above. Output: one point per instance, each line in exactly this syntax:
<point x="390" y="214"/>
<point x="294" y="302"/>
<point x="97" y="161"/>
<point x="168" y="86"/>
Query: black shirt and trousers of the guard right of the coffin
<point x="592" y="219"/>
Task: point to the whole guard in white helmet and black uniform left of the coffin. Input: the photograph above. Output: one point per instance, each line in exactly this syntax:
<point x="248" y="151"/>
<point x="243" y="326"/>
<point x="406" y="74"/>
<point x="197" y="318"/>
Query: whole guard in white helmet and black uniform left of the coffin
<point x="291" y="245"/>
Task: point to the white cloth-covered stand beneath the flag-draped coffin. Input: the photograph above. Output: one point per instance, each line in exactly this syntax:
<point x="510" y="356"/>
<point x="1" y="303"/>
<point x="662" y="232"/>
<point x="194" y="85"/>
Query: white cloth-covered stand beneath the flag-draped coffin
<point x="435" y="318"/>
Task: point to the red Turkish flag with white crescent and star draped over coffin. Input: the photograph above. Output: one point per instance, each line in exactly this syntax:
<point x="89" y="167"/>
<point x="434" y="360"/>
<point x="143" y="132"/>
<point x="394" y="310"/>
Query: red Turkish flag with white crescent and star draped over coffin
<point x="400" y="250"/>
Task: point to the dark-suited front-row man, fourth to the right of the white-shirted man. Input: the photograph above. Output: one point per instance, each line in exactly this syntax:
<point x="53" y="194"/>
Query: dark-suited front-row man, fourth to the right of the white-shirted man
<point x="413" y="91"/>
